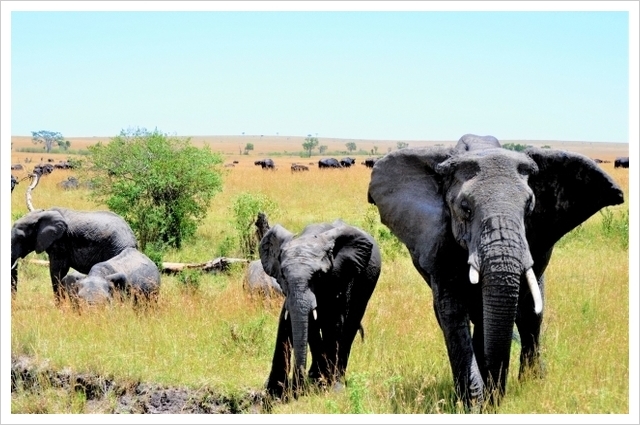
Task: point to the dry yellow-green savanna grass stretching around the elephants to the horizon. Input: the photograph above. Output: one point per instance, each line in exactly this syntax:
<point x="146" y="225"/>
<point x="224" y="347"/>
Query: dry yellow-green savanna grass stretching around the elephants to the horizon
<point x="216" y="335"/>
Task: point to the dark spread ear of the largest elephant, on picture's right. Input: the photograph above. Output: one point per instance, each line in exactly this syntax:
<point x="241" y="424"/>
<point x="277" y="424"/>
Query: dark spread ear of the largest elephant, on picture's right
<point x="569" y="188"/>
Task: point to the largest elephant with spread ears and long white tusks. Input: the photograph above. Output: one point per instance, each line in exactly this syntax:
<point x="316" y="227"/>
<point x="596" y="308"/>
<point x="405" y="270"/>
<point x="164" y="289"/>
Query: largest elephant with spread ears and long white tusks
<point x="500" y="212"/>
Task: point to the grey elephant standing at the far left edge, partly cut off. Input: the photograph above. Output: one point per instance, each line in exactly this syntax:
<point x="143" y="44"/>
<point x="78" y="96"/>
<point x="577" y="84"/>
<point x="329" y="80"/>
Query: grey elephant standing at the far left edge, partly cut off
<point x="72" y="239"/>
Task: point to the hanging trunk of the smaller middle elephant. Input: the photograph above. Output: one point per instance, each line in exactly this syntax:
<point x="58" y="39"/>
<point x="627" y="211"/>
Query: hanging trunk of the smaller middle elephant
<point x="300" y="306"/>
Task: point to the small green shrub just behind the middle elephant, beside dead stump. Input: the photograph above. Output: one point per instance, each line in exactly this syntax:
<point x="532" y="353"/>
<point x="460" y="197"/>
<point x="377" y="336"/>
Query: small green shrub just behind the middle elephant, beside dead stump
<point x="246" y="207"/>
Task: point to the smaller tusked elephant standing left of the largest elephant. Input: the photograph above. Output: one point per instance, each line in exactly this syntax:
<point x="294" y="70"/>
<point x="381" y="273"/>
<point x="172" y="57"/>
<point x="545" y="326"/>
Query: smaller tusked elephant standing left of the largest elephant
<point x="327" y="274"/>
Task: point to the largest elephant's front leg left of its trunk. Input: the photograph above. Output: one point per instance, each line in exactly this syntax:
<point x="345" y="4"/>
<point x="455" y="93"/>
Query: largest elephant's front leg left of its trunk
<point x="454" y="321"/>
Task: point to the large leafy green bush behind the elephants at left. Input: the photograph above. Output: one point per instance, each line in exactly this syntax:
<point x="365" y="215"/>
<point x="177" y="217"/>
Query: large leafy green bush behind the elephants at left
<point x="161" y="186"/>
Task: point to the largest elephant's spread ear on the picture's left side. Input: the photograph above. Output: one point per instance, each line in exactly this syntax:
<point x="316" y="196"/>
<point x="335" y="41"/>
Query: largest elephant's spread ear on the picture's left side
<point x="409" y="195"/>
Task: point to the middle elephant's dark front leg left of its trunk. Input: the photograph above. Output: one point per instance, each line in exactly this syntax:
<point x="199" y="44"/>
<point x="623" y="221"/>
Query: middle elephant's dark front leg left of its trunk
<point x="278" y="380"/>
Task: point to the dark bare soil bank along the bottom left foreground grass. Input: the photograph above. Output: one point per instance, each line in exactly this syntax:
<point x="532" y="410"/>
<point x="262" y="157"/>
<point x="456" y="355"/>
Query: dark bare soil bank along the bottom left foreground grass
<point x="106" y="395"/>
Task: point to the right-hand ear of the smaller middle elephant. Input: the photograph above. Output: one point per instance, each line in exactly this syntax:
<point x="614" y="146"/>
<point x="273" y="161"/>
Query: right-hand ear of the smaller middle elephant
<point x="351" y="249"/>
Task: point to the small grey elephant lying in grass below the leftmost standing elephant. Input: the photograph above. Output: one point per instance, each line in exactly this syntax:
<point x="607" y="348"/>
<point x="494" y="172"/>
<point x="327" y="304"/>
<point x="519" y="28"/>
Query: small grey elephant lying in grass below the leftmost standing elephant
<point x="130" y="274"/>
